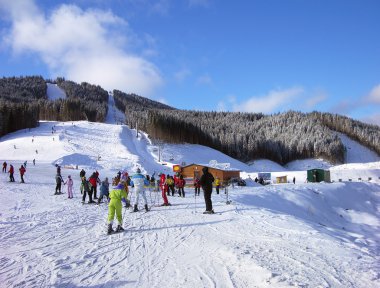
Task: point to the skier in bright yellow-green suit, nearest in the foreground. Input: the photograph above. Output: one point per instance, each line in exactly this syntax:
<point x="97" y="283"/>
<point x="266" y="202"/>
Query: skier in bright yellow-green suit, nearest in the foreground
<point x="117" y="195"/>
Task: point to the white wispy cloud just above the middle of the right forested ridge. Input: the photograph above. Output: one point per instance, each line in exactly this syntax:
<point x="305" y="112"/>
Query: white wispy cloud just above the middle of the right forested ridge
<point x="272" y="102"/>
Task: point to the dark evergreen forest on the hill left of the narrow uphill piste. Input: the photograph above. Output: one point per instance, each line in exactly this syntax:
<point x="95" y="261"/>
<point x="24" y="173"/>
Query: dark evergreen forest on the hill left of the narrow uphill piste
<point x="23" y="102"/>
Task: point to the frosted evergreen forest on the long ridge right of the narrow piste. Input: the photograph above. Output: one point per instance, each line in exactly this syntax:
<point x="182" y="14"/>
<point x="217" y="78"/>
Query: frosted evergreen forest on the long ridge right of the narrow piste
<point x="281" y="137"/>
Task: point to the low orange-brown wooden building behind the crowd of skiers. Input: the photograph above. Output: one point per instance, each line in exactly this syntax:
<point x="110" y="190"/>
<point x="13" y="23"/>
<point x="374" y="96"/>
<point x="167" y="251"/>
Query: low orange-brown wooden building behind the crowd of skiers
<point x="195" y="170"/>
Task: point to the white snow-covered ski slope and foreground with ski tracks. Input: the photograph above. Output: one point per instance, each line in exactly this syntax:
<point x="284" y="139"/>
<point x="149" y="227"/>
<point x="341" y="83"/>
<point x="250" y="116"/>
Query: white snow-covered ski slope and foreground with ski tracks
<point x="285" y="235"/>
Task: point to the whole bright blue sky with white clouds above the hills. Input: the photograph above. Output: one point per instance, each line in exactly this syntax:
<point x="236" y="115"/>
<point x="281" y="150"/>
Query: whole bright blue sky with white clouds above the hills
<point x="252" y="56"/>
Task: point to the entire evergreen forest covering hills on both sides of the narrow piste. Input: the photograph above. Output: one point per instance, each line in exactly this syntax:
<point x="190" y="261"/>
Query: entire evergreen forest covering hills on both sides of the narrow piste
<point x="246" y="136"/>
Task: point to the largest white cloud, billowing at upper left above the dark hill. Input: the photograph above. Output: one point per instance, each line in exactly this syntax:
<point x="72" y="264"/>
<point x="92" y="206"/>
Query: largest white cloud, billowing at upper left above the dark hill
<point x="82" y="46"/>
